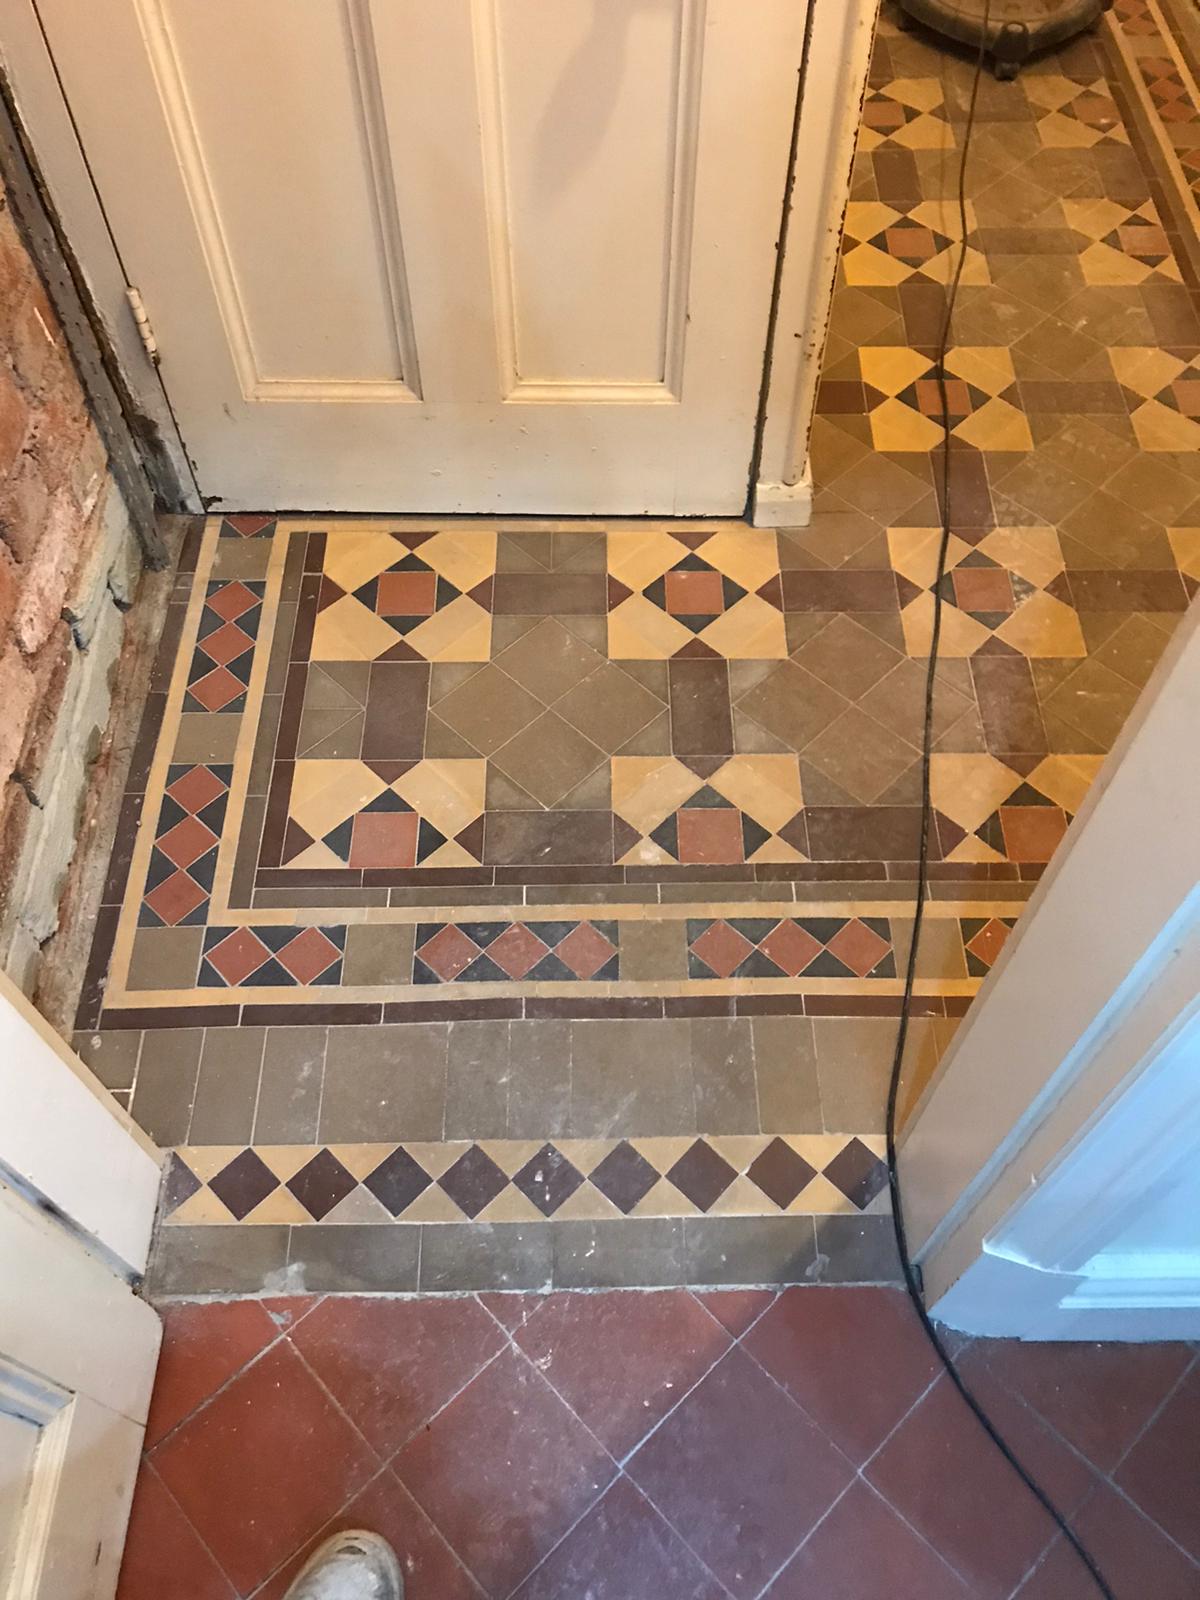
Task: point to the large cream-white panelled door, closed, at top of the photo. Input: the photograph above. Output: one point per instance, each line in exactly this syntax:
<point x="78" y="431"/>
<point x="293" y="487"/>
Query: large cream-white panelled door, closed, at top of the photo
<point x="447" y="255"/>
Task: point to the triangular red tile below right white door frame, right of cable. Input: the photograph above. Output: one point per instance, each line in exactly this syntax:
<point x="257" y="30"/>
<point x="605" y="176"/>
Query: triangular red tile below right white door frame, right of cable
<point x="1097" y="1396"/>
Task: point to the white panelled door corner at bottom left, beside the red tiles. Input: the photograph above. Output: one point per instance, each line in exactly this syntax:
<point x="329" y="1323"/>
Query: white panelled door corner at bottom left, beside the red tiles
<point x="78" y="1359"/>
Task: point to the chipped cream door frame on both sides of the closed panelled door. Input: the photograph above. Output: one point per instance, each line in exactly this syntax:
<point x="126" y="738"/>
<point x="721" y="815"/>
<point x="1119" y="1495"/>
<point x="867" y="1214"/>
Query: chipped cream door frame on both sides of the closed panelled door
<point x="834" y="78"/>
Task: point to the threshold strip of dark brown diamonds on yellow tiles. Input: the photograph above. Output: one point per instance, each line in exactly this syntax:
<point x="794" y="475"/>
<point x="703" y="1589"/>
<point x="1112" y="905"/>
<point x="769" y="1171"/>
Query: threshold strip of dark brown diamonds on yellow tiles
<point x="519" y="1180"/>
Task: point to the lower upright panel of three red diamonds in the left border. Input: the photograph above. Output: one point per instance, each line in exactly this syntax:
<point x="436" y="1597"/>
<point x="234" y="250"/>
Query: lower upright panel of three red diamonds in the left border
<point x="183" y="862"/>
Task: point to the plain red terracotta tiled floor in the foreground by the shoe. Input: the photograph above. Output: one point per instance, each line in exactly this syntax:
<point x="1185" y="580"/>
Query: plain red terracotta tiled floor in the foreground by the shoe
<point x="655" y="1446"/>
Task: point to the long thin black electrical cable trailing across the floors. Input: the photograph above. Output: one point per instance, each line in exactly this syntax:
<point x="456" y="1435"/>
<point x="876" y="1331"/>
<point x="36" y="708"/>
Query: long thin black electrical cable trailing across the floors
<point x="911" y="1282"/>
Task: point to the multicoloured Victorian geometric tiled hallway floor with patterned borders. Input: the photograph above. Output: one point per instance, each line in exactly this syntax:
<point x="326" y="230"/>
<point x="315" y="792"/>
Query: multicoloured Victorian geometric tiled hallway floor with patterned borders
<point x="503" y="905"/>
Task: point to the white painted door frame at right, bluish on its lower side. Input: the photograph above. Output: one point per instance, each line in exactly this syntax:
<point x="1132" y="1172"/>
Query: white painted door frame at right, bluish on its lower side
<point x="1068" y="1108"/>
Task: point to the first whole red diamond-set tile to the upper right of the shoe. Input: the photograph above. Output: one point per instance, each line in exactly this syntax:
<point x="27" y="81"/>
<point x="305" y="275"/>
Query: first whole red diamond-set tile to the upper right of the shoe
<point x="505" y="1471"/>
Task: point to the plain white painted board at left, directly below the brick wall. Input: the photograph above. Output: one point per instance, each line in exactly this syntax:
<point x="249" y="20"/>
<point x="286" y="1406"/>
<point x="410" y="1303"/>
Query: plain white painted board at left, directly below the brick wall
<point x="65" y="1138"/>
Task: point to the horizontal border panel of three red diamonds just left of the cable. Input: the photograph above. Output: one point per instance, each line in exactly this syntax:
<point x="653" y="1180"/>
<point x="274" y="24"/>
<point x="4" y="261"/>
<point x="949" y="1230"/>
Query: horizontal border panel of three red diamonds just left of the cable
<point x="794" y="948"/>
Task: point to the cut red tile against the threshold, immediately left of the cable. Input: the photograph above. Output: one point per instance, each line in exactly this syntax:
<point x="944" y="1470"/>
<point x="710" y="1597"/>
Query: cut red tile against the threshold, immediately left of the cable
<point x="855" y="1359"/>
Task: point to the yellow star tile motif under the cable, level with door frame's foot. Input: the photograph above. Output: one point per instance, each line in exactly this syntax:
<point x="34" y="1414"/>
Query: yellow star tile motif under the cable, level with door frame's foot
<point x="998" y="593"/>
